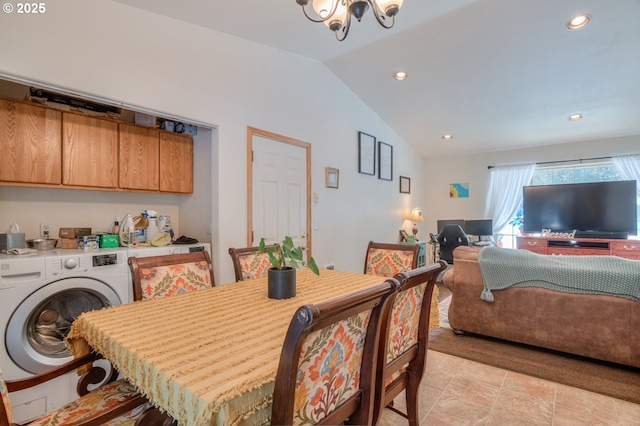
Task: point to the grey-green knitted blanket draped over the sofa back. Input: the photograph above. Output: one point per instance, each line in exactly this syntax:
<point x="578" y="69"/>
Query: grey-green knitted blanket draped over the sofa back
<point x="608" y="275"/>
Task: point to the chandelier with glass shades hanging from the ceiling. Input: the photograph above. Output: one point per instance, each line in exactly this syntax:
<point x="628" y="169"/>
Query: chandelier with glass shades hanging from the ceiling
<point x="336" y="14"/>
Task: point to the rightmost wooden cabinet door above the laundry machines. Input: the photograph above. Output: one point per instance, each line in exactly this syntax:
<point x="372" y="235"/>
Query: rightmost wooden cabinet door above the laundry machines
<point x="176" y="163"/>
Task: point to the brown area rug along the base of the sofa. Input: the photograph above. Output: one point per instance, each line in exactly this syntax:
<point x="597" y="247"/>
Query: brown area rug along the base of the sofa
<point x="604" y="378"/>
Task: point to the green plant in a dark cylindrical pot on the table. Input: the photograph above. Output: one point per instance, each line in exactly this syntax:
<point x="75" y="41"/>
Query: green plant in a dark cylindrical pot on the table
<point x="285" y="258"/>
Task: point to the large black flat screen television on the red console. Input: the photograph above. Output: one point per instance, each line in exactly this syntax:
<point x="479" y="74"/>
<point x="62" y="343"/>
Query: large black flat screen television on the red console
<point x="594" y="210"/>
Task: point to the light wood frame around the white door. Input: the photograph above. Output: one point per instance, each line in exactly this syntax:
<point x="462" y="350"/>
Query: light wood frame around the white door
<point x="251" y="132"/>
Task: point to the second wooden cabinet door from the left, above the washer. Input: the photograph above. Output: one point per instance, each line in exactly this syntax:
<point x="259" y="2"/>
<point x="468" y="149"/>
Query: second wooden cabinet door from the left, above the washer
<point x="89" y="151"/>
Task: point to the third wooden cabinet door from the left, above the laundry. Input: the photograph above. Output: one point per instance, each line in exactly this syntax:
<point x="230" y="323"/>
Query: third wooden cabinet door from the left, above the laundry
<point x="139" y="158"/>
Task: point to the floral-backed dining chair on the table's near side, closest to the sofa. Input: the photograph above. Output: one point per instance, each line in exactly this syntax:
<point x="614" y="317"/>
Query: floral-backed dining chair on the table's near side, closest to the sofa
<point x="404" y="335"/>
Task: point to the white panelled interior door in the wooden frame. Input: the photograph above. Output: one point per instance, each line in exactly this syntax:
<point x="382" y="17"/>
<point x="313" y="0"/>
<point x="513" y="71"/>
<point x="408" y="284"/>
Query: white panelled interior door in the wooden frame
<point x="279" y="190"/>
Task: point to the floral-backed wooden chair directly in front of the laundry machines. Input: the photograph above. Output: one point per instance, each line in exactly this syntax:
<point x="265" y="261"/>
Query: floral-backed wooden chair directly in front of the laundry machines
<point x="160" y="276"/>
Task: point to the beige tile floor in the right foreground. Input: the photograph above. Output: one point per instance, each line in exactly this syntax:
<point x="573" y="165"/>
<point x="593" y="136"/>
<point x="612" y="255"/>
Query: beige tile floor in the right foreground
<point x="455" y="391"/>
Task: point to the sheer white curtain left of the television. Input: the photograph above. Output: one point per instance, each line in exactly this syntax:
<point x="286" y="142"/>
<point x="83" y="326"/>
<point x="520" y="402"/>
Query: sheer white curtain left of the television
<point x="505" y="193"/>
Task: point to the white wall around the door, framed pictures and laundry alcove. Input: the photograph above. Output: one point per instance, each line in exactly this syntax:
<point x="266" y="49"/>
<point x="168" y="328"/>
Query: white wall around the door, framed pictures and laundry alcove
<point x="112" y="51"/>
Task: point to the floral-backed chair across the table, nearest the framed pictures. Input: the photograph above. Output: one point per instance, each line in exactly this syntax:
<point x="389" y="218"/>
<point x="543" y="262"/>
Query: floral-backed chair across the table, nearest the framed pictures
<point x="387" y="260"/>
